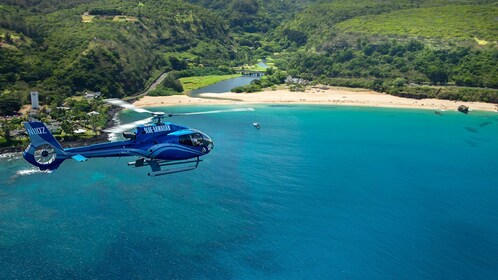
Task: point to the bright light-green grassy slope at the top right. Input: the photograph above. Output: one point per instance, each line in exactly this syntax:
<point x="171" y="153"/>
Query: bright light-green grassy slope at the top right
<point x="474" y="22"/>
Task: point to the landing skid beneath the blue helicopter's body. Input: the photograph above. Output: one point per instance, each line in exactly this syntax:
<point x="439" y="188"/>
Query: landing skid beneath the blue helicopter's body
<point x="157" y="164"/>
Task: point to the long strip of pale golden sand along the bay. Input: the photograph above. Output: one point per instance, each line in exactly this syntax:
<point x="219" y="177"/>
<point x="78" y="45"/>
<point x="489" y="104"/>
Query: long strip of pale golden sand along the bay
<point x="318" y="95"/>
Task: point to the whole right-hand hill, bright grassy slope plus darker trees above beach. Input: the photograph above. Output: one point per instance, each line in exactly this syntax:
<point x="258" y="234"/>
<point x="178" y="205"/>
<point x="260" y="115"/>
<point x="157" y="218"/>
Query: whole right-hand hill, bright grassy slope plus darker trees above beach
<point x="390" y="45"/>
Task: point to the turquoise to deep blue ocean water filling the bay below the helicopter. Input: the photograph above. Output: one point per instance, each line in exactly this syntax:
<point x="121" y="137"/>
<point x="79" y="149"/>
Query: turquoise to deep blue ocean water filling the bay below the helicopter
<point x="317" y="193"/>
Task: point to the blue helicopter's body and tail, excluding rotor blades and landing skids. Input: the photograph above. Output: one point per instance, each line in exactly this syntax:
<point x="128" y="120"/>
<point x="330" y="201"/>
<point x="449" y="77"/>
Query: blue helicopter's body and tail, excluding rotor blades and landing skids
<point x="157" y="142"/>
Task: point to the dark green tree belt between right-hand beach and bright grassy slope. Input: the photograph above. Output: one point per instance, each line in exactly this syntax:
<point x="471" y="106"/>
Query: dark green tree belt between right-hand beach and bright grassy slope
<point x="391" y="65"/>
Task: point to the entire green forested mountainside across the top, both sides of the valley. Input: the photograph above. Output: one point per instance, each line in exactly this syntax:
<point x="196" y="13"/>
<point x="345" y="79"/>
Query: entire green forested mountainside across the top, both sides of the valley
<point x="64" y="48"/>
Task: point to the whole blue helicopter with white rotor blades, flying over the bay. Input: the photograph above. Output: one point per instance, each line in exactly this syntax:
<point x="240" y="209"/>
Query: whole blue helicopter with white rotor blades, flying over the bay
<point x="163" y="146"/>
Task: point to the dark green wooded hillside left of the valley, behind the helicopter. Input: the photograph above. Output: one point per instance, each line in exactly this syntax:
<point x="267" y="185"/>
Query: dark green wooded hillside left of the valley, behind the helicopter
<point x="112" y="47"/>
